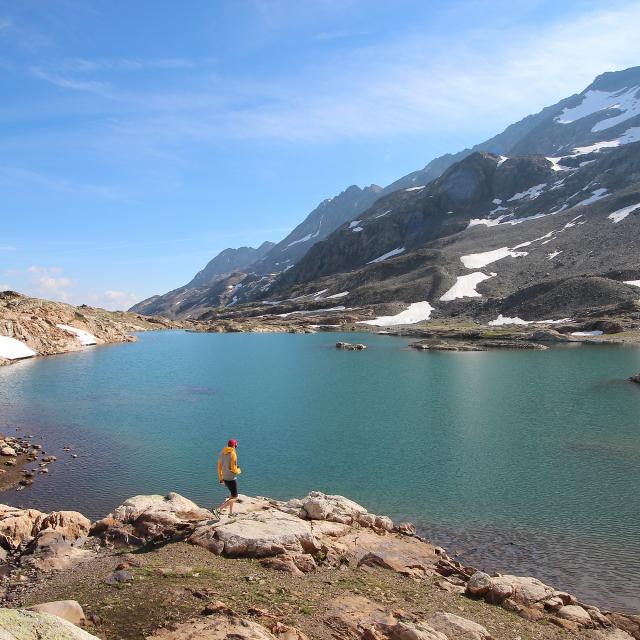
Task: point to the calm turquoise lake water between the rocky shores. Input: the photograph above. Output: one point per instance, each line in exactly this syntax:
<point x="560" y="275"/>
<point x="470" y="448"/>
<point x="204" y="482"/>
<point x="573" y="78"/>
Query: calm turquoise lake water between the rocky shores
<point x="519" y="461"/>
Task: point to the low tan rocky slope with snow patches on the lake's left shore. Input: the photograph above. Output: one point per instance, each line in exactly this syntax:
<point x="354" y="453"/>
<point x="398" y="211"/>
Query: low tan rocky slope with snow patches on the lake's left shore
<point x="31" y="327"/>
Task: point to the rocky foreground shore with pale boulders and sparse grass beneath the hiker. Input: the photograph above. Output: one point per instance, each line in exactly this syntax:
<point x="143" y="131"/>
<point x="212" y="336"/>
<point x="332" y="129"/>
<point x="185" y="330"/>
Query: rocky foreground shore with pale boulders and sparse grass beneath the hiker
<point x="317" y="567"/>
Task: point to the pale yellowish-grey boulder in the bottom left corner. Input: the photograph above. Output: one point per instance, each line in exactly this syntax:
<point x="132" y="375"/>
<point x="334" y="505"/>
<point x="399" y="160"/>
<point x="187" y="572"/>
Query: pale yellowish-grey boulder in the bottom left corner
<point x="16" y="624"/>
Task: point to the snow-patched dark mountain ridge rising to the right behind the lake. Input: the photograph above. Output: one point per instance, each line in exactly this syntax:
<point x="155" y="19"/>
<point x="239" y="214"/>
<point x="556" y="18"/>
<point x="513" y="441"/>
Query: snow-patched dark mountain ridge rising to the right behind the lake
<point x="540" y="222"/>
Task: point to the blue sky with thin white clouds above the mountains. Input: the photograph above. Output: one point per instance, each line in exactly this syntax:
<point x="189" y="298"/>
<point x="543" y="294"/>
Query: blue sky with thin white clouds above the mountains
<point x="139" y="139"/>
